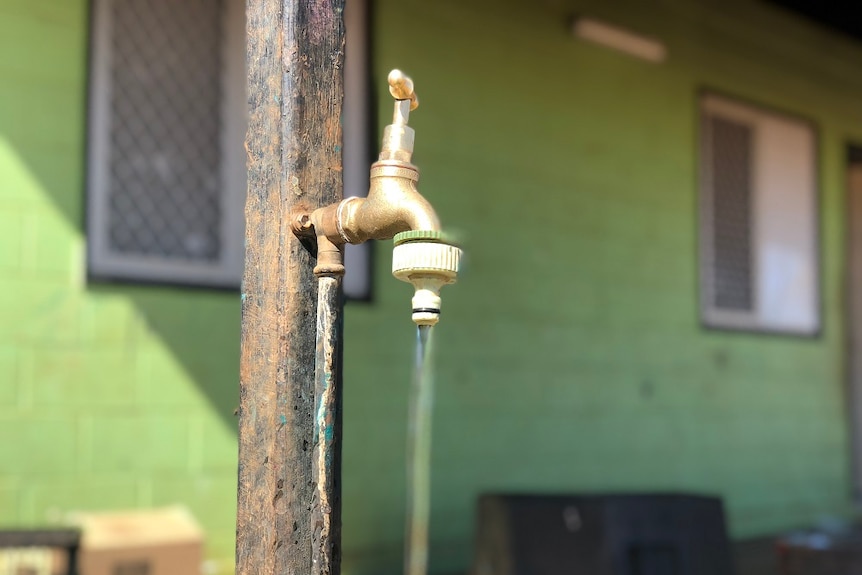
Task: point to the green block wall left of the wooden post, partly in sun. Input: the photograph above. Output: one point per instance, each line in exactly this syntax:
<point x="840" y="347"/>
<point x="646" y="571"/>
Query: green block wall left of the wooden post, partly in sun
<point x="111" y="396"/>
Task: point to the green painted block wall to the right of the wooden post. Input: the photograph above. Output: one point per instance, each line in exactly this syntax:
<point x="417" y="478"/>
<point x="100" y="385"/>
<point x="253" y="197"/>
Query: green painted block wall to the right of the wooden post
<point x="571" y="356"/>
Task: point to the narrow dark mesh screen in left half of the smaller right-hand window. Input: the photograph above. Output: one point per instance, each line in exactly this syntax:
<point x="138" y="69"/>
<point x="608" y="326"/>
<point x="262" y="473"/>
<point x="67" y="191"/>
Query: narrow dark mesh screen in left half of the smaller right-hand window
<point x="731" y="212"/>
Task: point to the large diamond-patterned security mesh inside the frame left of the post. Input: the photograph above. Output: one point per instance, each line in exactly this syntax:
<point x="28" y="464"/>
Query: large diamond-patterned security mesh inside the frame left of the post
<point x="164" y="180"/>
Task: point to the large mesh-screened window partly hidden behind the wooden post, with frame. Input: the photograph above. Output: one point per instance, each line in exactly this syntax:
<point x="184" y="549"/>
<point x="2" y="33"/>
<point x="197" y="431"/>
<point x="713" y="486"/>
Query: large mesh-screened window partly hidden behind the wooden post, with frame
<point x="167" y="177"/>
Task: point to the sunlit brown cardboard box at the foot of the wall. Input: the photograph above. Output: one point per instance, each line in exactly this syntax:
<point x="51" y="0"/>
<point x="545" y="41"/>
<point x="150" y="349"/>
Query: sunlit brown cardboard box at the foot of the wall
<point x="148" y="542"/>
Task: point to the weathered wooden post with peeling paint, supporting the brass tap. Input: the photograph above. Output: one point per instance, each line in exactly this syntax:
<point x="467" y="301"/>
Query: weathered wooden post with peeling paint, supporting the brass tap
<point x="295" y="87"/>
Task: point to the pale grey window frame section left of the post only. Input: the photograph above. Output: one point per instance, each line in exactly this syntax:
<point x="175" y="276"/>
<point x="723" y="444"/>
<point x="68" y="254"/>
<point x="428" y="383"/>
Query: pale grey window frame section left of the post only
<point x="102" y="261"/>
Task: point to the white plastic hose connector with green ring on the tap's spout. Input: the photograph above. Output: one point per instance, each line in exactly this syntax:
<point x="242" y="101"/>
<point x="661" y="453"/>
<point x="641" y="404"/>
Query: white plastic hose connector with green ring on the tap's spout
<point x="422" y="259"/>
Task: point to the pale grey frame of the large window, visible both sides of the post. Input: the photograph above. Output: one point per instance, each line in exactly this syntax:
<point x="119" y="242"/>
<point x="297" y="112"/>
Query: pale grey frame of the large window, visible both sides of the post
<point x="104" y="264"/>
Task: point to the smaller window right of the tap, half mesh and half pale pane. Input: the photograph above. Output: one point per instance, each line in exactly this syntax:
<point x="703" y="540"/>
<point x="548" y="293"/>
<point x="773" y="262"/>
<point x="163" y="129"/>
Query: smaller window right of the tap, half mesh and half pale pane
<point x="758" y="233"/>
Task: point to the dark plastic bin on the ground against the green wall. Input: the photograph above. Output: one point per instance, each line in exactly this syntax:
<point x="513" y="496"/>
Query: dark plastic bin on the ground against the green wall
<point x="627" y="534"/>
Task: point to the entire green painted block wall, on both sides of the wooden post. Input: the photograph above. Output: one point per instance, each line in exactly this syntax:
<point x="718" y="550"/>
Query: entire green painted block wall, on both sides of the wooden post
<point x="571" y="355"/>
